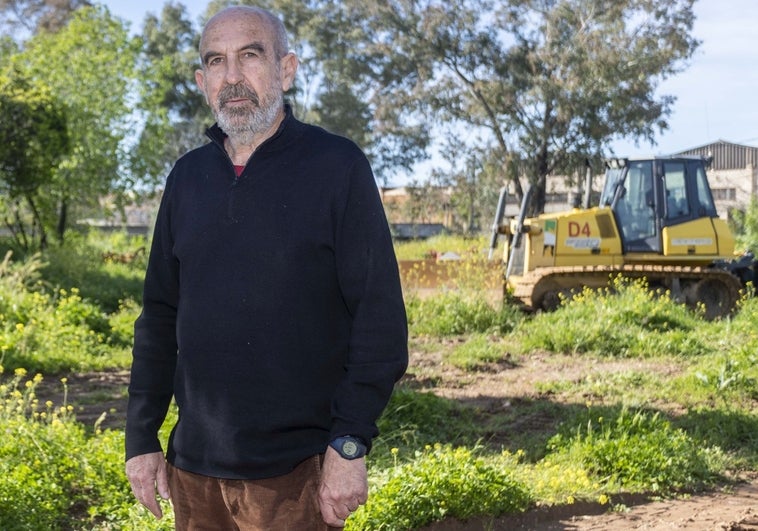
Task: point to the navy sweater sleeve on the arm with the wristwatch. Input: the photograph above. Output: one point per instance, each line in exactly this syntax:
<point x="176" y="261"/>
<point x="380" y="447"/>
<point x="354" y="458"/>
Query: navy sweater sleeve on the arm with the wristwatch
<point x="370" y="283"/>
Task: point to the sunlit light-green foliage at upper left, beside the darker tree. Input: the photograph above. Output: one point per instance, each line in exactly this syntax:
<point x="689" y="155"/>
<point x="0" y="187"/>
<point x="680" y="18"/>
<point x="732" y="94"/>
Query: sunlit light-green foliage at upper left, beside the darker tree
<point x="93" y="79"/>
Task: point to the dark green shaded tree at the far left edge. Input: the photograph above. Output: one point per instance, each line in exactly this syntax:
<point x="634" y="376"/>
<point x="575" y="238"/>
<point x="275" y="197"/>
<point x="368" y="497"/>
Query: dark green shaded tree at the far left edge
<point x="35" y="139"/>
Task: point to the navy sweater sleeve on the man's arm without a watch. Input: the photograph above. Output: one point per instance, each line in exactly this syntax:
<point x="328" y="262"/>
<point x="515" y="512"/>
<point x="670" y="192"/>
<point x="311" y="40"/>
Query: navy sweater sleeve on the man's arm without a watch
<point x="155" y="346"/>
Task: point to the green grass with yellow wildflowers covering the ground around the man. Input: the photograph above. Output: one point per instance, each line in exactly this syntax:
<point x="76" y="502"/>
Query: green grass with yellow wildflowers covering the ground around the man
<point x="668" y="404"/>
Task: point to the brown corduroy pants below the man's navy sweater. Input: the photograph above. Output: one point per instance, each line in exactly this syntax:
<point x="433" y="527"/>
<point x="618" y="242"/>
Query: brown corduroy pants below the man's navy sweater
<point x="283" y="503"/>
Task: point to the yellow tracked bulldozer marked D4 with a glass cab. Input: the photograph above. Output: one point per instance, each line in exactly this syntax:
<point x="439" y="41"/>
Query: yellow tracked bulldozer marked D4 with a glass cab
<point x="656" y="219"/>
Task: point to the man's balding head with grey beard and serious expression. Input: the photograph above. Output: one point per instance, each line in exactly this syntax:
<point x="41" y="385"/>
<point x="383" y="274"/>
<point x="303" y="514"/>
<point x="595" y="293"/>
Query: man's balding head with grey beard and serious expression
<point x="242" y="77"/>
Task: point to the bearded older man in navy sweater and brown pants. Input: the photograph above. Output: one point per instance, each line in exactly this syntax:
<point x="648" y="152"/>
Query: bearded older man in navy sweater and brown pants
<point x="272" y="309"/>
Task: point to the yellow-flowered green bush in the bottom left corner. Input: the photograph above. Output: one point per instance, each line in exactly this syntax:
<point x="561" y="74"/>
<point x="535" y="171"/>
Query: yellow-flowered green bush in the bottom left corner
<point x="50" y="474"/>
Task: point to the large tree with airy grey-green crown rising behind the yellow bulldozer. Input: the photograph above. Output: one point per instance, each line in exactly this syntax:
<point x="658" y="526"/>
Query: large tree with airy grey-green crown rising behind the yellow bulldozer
<point x="551" y="82"/>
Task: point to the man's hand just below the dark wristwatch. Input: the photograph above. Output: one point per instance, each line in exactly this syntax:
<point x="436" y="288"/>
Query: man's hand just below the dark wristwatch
<point x="344" y="487"/>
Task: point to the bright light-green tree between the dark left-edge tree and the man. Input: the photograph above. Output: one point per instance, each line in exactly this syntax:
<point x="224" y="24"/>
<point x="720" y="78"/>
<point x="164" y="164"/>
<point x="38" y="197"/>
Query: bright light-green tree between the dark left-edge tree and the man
<point x="93" y="78"/>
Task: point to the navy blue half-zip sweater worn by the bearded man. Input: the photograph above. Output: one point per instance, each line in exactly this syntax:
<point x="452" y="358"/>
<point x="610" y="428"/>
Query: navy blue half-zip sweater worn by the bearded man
<point x="272" y="308"/>
